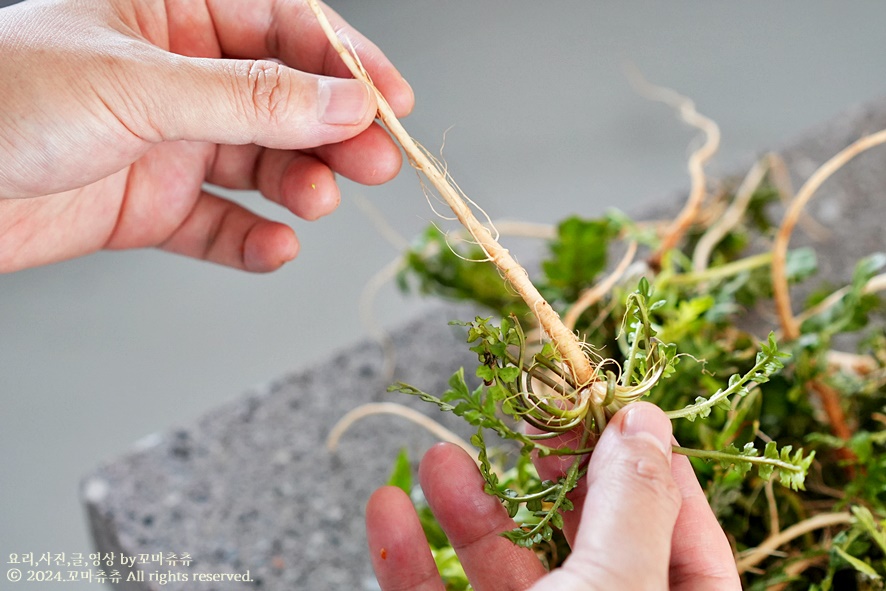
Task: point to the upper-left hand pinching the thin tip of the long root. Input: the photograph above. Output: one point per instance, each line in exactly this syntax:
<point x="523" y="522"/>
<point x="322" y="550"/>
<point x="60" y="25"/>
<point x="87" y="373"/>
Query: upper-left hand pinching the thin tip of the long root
<point x="114" y="113"/>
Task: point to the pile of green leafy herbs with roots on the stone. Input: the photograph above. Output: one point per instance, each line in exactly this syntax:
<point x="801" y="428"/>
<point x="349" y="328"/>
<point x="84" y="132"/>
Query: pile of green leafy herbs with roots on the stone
<point x="749" y="409"/>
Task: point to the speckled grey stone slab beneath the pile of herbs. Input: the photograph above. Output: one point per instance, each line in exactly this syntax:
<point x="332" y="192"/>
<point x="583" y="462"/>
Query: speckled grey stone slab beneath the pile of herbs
<point x="249" y="487"/>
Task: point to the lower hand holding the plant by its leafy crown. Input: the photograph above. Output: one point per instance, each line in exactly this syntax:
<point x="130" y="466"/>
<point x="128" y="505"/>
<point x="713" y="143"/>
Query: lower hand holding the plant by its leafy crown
<point x="641" y="522"/>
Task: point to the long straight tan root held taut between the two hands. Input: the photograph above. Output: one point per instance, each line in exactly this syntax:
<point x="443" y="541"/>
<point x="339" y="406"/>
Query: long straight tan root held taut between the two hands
<point x="565" y="340"/>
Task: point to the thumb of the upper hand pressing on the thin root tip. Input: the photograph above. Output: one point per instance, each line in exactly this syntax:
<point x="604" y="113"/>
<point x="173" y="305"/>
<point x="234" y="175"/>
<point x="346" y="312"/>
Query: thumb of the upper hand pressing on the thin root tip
<point x="259" y="102"/>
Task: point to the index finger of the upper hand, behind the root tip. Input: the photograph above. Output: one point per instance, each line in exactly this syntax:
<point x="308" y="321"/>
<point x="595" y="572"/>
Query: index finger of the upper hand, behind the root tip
<point x="289" y="31"/>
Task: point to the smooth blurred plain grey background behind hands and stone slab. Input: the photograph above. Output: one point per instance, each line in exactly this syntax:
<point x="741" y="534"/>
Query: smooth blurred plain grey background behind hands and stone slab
<point x="99" y="352"/>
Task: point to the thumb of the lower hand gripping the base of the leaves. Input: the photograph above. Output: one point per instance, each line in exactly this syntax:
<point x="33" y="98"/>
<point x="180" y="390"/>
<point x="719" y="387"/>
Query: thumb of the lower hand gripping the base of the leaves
<point x="624" y="538"/>
